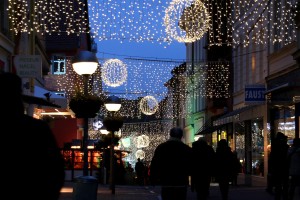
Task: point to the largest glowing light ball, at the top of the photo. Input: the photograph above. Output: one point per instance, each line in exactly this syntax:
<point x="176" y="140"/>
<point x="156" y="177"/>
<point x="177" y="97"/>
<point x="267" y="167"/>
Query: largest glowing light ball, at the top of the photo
<point x="186" y="20"/>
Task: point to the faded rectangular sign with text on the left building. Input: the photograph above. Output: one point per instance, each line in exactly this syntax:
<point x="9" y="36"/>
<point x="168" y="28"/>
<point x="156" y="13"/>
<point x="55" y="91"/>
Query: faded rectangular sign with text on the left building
<point x="28" y="66"/>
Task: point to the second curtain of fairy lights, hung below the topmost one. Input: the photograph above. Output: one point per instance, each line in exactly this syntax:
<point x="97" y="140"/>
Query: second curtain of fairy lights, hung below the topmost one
<point x="151" y="88"/>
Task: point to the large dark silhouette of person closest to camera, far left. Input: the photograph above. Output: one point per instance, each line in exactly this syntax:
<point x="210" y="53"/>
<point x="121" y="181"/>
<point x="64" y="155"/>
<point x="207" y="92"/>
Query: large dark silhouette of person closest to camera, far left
<point x="36" y="165"/>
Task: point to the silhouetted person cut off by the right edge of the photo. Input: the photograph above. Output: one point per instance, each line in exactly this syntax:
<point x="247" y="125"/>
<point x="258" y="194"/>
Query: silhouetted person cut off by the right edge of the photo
<point x="294" y="167"/>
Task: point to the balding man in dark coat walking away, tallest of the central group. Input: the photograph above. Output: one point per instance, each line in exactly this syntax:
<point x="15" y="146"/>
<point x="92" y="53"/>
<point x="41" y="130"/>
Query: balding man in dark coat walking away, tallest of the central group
<point x="171" y="166"/>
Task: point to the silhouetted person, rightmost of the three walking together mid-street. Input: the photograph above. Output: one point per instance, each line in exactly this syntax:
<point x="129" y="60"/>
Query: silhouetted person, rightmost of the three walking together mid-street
<point x="224" y="167"/>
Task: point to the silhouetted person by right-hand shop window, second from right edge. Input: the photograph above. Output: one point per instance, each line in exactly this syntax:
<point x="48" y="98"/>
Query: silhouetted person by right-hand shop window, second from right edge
<point x="279" y="166"/>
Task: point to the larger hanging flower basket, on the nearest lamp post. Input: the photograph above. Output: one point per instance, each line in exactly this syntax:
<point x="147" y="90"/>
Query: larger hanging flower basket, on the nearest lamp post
<point x="85" y="106"/>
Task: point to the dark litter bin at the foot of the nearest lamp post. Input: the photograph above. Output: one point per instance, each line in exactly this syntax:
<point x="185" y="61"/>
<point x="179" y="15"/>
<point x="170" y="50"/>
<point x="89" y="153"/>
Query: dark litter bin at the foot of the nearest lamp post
<point x="85" y="188"/>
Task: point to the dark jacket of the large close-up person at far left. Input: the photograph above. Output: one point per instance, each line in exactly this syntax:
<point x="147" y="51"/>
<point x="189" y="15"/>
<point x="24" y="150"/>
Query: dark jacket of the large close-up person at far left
<point x="37" y="164"/>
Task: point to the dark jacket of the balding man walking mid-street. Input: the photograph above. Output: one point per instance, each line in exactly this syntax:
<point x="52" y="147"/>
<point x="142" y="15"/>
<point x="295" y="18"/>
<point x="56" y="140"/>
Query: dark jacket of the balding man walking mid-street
<point x="171" y="164"/>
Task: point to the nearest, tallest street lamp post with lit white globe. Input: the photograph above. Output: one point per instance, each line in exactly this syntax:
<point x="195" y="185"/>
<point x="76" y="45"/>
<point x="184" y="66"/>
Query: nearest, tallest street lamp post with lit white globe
<point x="85" y="63"/>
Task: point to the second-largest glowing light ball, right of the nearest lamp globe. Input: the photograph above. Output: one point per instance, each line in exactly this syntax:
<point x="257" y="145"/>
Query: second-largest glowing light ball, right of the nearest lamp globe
<point x="114" y="72"/>
